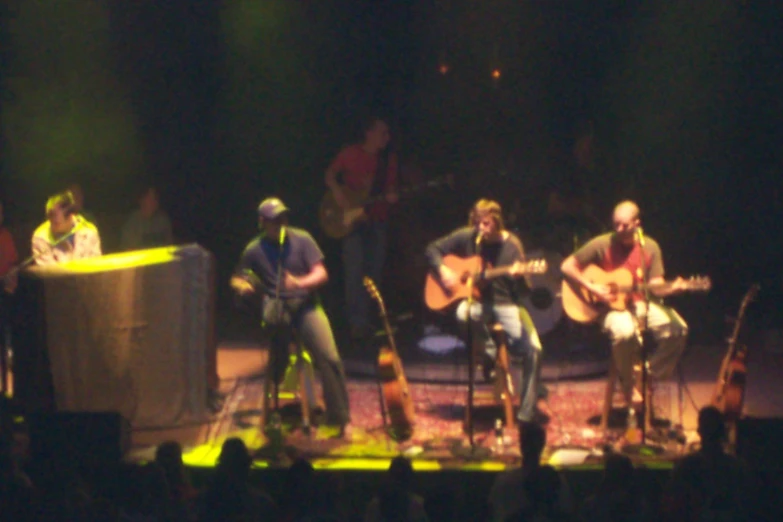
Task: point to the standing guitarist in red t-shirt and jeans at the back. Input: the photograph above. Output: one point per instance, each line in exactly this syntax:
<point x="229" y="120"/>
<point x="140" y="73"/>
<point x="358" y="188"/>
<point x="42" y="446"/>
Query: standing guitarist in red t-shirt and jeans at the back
<point x="366" y="167"/>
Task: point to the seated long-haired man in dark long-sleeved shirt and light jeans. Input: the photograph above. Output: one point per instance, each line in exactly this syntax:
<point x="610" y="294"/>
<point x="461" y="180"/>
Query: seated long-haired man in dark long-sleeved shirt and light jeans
<point x="499" y="300"/>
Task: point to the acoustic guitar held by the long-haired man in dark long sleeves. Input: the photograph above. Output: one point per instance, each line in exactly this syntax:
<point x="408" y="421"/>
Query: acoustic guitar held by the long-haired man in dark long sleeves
<point x="438" y="297"/>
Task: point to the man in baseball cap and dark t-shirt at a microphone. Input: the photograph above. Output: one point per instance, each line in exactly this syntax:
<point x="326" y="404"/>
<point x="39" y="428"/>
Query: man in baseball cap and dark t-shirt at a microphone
<point x="285" y="265"/>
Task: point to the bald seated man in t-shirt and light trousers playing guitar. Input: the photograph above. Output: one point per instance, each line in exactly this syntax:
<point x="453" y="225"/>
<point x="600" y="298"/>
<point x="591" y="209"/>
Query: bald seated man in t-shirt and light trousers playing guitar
<point x="623" y="249"/>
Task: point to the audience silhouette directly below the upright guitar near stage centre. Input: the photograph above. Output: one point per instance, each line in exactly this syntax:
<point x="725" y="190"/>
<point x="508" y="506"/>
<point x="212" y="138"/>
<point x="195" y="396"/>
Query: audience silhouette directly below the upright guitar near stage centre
<point x="395" y="502"/>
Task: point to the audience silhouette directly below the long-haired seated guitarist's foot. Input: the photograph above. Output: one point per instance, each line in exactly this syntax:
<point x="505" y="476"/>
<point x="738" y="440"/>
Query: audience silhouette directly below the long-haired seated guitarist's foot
<point x="508" y="495"/>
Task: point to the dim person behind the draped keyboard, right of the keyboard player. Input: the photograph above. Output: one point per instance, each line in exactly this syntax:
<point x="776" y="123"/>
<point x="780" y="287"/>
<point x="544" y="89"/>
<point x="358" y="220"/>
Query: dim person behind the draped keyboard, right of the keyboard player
<point x="148" y="226"/>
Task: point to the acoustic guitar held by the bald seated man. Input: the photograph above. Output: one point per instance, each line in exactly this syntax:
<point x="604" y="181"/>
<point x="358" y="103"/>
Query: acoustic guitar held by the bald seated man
<point x="583" y="306"/>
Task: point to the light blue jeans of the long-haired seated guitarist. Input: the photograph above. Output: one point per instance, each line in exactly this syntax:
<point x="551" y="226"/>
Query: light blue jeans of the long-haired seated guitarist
<point x="523" y="343"/>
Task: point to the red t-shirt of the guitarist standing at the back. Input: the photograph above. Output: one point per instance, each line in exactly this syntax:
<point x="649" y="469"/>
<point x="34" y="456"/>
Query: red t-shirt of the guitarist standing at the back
<point x="358" y="170"/>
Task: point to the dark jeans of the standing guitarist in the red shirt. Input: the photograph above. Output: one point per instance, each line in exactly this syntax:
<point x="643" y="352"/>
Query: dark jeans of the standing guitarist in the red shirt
<point x="364" y="254"/>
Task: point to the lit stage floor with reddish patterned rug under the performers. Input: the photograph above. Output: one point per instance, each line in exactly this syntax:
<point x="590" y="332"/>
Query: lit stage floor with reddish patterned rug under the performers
<point x="439" y="394"/>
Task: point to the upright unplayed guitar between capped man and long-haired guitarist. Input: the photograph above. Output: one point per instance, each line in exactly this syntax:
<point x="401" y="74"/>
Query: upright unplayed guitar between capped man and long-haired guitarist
<point x="396" y="394"/>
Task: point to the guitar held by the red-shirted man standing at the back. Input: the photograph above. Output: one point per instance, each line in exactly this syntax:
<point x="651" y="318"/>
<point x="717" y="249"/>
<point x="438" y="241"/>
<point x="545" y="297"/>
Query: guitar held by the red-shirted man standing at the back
<point x="338" y="222"/>
